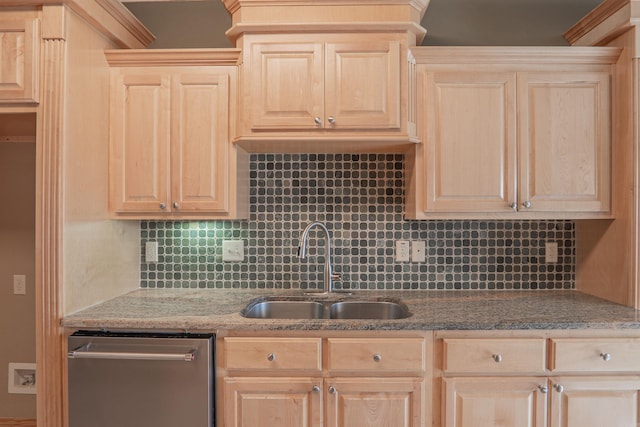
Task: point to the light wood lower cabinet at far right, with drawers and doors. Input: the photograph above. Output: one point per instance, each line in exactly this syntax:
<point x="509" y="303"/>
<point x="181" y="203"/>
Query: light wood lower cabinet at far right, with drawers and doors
<point x="540" y="382"/>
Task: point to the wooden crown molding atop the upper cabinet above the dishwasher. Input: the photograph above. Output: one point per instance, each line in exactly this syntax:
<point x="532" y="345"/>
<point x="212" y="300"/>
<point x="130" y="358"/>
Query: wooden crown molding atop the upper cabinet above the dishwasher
<point x="171" y="57"/>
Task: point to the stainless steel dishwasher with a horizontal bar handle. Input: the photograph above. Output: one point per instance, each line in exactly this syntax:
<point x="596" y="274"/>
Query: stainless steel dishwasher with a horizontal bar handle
<point x="141" y="380"/>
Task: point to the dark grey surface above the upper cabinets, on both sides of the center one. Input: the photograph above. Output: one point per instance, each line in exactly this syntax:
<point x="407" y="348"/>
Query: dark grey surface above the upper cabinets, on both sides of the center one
<point x="202" y="23"/>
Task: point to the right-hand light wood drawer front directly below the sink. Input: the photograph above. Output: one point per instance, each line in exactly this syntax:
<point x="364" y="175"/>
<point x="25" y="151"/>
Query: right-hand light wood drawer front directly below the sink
<point x="376" y="355"/>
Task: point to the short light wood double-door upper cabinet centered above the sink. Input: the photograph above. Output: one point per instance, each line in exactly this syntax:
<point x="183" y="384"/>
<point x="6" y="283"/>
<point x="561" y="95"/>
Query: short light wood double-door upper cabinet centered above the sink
<point x="324" y="87"/>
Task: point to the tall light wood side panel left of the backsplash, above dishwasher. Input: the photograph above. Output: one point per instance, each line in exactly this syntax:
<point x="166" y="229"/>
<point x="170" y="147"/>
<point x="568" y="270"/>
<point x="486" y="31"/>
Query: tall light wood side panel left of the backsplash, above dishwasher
<point x="101" y="256"/>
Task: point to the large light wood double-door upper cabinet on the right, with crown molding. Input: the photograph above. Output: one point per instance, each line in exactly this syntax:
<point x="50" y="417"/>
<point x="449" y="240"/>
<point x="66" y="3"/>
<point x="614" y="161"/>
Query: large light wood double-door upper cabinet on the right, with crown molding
<point x="512" y="133"/>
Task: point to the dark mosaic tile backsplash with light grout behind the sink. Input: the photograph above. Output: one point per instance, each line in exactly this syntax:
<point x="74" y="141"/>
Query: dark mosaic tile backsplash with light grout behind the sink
<point x="360" y="199"/>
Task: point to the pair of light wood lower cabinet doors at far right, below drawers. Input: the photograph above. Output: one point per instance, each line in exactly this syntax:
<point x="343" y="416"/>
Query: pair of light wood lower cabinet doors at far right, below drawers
<point x="539" y="402"/>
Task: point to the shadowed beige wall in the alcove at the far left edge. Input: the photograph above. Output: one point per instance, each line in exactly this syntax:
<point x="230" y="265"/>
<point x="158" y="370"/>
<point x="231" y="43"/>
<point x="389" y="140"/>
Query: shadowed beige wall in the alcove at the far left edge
<point x="17" y="252"/>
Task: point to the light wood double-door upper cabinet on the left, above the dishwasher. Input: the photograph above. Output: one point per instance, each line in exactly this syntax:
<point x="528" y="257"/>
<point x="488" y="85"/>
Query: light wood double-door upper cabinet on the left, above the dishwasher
<point x="171" y="153"/>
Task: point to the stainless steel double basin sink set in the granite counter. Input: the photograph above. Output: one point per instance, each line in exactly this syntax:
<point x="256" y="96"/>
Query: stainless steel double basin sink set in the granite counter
<point x="302" y="308"/>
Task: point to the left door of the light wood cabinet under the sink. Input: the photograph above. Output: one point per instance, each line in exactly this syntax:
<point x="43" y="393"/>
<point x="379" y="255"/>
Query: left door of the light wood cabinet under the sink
<point x="272" y="402"/>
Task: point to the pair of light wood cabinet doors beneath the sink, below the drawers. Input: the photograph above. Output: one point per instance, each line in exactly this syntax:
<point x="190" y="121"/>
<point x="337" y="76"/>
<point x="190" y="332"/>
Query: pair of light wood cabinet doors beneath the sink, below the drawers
<point x="347" y="402"/>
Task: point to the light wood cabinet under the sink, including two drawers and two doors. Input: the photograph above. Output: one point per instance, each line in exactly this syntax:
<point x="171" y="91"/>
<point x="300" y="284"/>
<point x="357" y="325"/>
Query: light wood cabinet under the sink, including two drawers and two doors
<point x="324" y="382"/>
